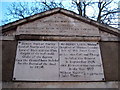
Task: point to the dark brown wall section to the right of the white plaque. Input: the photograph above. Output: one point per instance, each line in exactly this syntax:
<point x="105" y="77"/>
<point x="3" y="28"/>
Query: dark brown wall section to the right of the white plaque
<point x="110" y="59"/>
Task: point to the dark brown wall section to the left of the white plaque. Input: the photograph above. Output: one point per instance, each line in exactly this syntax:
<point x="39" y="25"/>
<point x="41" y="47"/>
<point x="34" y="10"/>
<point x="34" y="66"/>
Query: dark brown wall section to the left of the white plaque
<point x="8" y="57"/>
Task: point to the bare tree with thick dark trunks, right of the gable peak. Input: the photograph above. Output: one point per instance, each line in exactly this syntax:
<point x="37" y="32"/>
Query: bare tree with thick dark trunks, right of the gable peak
<point x="105" y="13"/>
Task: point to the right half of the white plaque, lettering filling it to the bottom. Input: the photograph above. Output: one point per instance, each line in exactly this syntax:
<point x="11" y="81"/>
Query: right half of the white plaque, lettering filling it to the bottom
<point x="80" y="61"/>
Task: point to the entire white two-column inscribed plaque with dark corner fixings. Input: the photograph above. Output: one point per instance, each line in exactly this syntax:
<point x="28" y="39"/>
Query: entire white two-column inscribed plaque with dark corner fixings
<point x="58" y="61"/>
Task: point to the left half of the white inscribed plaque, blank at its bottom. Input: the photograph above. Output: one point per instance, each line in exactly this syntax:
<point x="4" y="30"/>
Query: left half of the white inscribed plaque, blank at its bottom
<point x="36" y="61"/>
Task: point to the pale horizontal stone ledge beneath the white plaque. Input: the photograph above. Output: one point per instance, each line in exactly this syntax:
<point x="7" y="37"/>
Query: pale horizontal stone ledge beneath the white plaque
<point x="112" y="84"/>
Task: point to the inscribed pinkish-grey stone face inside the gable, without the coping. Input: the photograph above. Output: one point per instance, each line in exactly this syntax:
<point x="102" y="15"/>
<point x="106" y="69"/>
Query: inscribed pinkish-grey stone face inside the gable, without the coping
<point x="58" y="24"/>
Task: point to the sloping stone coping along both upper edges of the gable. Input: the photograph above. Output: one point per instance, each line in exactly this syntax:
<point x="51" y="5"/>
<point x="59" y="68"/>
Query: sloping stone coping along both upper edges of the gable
<point x="65" y="12"/>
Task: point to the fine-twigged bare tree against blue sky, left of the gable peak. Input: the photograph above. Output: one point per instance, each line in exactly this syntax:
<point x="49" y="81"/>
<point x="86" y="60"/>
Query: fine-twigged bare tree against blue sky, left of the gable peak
<point x="20" y="10"/>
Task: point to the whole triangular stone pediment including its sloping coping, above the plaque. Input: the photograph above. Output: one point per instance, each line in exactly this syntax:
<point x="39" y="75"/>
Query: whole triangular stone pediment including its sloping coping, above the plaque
<point x="60" y="22"/>
